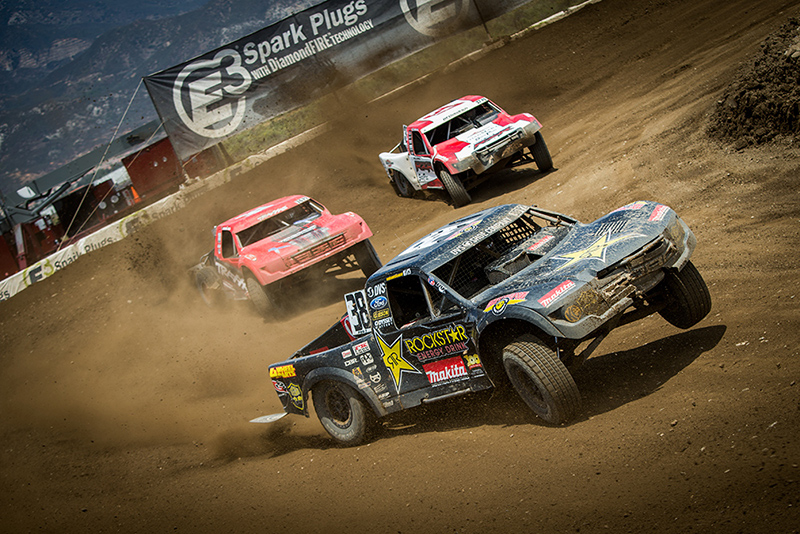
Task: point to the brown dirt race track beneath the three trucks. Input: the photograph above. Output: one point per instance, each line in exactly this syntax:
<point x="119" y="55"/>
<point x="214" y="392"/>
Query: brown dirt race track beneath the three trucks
<point x="125" y="401"/>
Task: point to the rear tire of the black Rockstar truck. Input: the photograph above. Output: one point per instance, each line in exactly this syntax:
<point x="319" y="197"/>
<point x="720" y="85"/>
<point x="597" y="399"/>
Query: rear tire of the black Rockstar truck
<point x="341" y="412"/>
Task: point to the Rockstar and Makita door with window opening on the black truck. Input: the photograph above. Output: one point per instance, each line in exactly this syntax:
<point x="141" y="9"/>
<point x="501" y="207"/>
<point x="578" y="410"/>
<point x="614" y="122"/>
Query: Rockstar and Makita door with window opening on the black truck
<point x="428" y="348"/>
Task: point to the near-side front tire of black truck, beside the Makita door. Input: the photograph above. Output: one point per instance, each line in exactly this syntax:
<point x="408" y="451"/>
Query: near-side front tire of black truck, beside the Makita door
<point x="541" y="380"/>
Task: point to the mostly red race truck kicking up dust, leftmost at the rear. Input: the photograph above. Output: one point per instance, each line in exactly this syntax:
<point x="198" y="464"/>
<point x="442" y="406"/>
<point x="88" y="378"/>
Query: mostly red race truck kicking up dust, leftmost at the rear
<point x="261" y="252"/>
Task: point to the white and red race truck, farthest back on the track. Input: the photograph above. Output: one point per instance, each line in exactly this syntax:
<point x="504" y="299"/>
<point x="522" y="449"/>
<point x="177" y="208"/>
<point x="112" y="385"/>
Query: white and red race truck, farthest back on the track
<point x="456" y="146"/>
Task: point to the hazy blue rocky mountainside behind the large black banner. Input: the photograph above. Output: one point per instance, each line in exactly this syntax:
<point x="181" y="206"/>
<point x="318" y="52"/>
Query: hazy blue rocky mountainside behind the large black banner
<point x="69" y="70"/>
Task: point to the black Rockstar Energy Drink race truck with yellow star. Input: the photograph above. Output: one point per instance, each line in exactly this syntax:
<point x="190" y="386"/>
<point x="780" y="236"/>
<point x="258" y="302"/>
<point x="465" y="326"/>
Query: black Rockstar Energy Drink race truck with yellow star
<point x="510" y="294"/>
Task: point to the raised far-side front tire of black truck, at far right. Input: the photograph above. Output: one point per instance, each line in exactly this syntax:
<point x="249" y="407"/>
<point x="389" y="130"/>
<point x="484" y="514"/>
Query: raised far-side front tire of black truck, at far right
<point x="688" y="296"/>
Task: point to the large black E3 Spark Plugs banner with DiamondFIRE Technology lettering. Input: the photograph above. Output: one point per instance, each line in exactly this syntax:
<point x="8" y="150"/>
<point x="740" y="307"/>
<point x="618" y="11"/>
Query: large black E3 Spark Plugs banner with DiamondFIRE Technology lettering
<point x="298" y="59"/>
